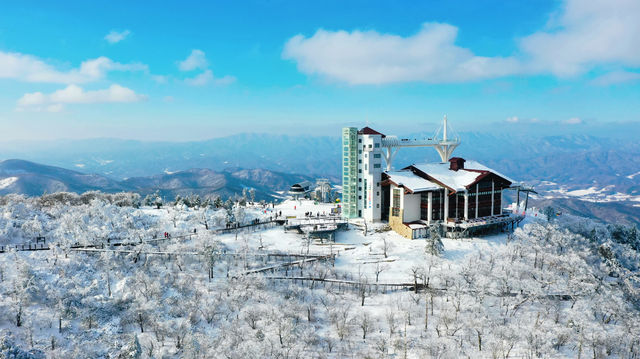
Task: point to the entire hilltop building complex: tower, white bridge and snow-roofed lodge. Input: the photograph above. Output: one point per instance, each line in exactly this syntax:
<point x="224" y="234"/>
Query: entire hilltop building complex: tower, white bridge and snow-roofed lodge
<point x="461" y="197"/>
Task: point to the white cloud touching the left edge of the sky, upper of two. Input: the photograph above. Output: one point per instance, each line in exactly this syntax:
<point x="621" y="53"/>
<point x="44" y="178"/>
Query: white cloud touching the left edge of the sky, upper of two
<point x="28" y="68"/>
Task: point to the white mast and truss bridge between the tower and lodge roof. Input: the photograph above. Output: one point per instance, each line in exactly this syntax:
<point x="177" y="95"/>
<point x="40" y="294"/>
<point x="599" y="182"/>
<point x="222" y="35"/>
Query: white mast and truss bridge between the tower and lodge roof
<point x="444" y="145"/>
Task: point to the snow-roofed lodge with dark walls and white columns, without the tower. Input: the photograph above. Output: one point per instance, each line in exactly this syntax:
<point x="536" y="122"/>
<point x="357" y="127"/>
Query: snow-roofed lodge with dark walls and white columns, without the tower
<point x="459" y="195"/>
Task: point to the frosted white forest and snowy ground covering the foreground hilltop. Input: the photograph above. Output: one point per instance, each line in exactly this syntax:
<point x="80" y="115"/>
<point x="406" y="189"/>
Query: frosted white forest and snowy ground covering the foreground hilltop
<point x="181" y="287"/>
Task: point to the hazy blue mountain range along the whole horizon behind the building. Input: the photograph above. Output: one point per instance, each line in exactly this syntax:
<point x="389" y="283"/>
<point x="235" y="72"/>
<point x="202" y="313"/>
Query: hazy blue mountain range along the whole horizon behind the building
<point x="572" y="172"/>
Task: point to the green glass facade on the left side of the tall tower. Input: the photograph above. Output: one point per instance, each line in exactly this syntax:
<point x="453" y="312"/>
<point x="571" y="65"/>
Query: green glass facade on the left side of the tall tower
<point x="349" y="172"/>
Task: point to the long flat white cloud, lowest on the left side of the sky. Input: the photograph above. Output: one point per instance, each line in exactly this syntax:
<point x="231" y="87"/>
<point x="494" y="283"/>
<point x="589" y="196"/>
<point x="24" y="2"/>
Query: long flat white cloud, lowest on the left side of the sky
<point x="74" y="94"/>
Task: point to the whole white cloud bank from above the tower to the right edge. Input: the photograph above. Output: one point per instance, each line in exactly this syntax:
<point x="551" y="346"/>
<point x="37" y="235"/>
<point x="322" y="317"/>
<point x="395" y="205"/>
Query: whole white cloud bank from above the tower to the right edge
<point x="583" y="35"/>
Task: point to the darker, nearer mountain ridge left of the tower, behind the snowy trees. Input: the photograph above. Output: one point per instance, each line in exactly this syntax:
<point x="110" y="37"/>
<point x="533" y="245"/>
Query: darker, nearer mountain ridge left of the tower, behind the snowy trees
<point x="33" y="179"/>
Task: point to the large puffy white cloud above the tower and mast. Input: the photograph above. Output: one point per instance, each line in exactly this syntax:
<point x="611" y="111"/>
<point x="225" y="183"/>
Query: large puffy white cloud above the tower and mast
<point x="372" y="58"/>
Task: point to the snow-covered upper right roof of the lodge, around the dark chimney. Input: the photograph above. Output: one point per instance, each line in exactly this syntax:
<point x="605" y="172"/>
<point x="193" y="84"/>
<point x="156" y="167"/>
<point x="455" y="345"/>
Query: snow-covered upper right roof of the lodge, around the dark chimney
<point x="458" y="180"/>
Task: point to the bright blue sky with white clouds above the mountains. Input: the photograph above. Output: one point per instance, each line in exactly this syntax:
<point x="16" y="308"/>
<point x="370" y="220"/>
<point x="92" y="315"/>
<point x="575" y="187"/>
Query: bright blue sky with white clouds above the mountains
<point x="186" y="70"/>
